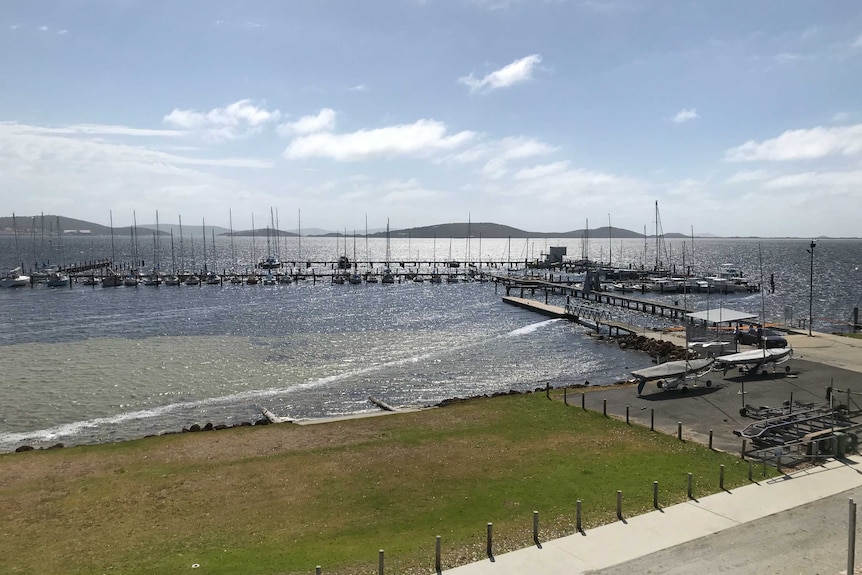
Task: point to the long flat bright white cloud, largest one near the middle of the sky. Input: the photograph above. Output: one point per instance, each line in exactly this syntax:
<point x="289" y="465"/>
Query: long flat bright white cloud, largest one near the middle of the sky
<point x="422" y="138"/>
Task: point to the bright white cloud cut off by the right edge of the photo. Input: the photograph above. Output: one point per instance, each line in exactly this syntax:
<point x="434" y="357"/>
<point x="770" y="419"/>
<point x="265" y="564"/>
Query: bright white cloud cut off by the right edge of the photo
<point x="807" y="144"/>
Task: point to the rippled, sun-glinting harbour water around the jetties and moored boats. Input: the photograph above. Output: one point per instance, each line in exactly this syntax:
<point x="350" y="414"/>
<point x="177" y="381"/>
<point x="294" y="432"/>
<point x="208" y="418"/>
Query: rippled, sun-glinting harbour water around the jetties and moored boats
<point x="92" y="364"/>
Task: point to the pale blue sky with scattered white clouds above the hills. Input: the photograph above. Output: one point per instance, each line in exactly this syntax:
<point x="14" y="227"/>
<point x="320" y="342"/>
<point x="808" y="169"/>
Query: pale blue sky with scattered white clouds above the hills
<point x="737" y="117"/>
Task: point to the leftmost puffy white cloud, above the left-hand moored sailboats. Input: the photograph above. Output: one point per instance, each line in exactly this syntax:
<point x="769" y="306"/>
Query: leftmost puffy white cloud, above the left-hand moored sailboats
<point x="237" y="120"/>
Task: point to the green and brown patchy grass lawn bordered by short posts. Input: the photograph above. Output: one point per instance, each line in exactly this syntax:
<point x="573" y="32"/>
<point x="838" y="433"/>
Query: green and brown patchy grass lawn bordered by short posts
<point x="285" y="498"/>
